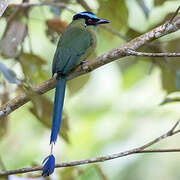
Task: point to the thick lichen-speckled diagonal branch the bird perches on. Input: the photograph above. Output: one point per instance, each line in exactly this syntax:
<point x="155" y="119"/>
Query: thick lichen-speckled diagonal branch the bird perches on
<point x="89" y="66"/>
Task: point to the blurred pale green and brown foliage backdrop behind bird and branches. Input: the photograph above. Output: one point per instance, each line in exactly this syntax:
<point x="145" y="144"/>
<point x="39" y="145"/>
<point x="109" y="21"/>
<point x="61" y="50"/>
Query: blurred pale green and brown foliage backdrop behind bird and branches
<point x="113" y="109"/>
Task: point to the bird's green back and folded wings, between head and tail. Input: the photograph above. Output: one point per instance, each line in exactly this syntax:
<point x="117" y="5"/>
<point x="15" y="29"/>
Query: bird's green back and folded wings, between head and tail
<point x="72" y="45"/>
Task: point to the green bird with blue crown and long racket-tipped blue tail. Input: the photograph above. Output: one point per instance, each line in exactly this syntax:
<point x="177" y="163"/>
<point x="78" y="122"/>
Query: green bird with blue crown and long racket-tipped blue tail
<point x="75" y="45"/>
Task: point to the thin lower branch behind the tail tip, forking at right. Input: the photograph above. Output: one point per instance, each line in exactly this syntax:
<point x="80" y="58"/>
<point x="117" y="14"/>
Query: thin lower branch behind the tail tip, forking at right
<point x="138" y="150"/>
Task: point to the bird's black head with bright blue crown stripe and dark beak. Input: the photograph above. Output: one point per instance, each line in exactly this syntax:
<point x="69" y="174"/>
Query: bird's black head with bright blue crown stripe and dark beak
<point x="90" y="18"/>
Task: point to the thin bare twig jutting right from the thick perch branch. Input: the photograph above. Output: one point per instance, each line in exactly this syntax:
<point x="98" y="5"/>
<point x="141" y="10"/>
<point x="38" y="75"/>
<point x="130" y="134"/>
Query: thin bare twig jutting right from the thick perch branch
<point x="130" y="52"/>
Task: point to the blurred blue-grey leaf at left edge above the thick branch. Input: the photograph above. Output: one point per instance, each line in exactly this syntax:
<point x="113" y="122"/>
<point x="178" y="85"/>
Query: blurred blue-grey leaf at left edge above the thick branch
<point x="9" y="74"/>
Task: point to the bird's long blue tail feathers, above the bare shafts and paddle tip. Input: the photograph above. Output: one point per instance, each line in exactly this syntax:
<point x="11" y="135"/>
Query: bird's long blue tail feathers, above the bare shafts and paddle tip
<point x="58" y="107"/>
